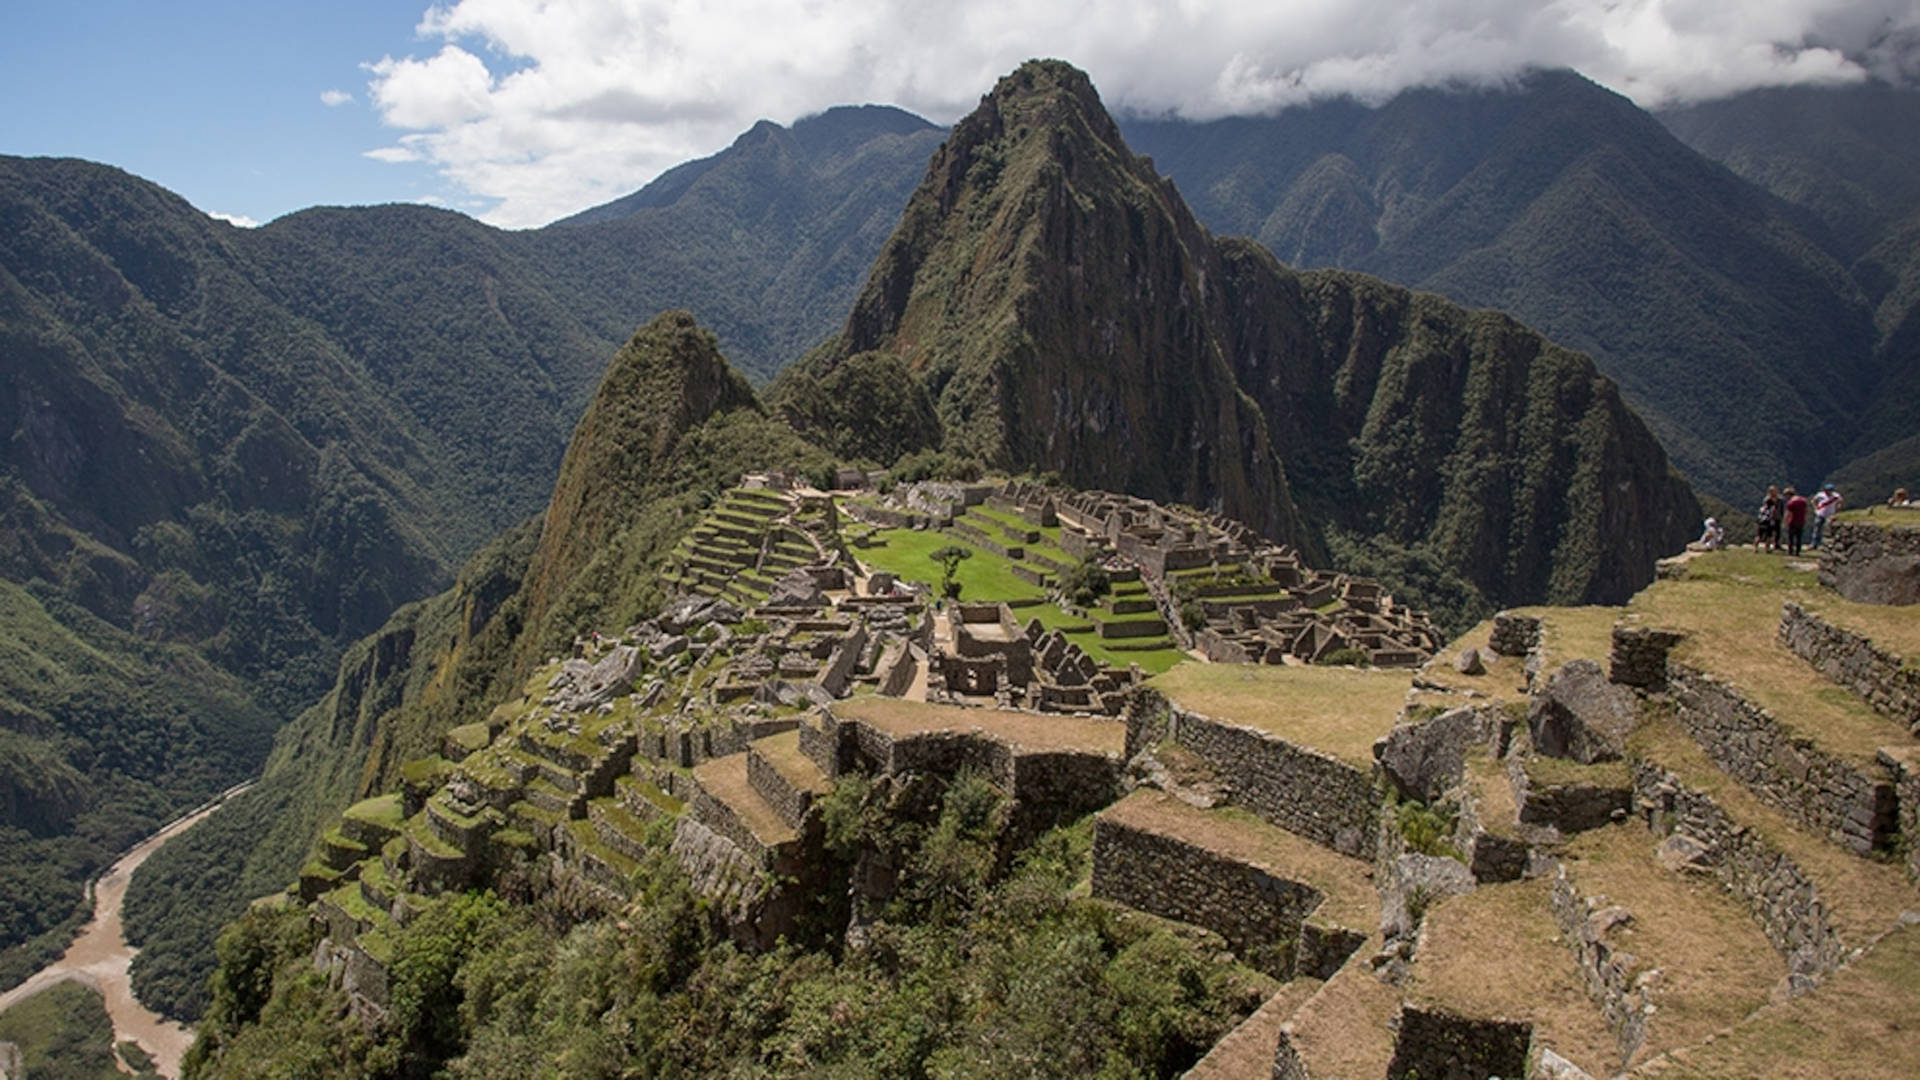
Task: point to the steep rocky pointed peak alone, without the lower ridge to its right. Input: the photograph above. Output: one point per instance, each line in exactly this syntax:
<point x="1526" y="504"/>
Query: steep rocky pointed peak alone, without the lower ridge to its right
<point x="1049" y="293"/>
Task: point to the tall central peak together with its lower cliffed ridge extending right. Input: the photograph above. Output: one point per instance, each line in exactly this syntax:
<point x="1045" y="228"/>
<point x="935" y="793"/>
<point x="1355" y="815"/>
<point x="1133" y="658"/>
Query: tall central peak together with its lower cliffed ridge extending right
<point x="1059" y="310"/>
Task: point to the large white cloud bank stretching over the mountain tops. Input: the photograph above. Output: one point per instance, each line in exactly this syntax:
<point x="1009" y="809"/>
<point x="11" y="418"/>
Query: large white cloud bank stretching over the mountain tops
<point x="548" y="107"/>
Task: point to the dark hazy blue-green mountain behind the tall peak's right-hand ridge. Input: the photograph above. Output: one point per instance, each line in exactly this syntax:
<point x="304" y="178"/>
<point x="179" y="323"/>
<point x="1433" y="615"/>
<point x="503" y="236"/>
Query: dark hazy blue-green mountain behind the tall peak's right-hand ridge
<point x="1714" y="305"/>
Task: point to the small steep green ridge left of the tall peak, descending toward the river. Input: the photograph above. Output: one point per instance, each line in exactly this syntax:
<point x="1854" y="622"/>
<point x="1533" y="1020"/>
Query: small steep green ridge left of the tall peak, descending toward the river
<point x="669" y="428"/>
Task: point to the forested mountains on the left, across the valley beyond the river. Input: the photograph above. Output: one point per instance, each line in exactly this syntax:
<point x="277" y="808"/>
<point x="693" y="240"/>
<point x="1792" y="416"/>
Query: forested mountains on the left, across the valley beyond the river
<point x="235" y="453"/>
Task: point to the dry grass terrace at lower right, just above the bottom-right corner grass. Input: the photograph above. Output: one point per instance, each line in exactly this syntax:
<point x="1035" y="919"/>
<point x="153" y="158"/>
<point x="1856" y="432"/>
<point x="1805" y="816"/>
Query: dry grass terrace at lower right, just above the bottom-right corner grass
<point x="1716" y="964"/>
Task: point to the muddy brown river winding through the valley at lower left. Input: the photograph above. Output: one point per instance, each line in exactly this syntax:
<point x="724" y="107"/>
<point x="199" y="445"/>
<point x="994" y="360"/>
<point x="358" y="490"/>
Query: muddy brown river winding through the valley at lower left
<point x="101" y="956"/>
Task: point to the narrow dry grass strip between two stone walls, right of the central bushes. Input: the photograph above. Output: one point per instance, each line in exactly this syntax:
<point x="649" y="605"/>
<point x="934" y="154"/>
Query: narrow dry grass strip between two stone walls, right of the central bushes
<point x="1347" y="885"/>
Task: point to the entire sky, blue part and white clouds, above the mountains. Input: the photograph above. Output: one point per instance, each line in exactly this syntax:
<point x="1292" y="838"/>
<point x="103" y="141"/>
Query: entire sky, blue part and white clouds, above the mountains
<point x="529" y="110"/>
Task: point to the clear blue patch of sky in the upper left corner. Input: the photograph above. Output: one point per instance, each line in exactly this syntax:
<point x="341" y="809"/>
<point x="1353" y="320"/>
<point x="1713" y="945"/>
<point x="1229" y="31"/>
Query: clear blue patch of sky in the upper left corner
<point x="220" y="103"/>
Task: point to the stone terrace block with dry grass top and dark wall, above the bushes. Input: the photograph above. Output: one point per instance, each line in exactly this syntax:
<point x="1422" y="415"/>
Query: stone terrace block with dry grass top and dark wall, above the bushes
<point x="1284" y="904"/>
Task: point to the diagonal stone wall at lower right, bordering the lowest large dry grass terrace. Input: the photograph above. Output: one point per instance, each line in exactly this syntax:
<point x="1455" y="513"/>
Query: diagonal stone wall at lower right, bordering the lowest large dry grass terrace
<point x="1773" y="887"/>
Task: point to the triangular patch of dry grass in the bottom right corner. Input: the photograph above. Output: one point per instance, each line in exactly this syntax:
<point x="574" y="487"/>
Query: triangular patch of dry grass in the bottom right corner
<point x="1860" y="1023"/>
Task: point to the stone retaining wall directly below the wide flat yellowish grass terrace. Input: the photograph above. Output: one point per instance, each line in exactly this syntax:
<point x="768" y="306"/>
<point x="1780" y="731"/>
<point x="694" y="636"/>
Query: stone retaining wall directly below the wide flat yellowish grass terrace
<point x="1293" y="787"/>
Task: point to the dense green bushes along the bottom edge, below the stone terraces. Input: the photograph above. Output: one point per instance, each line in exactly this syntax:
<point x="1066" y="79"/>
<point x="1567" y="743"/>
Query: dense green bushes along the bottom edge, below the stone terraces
<point x="965" y="975"/>
